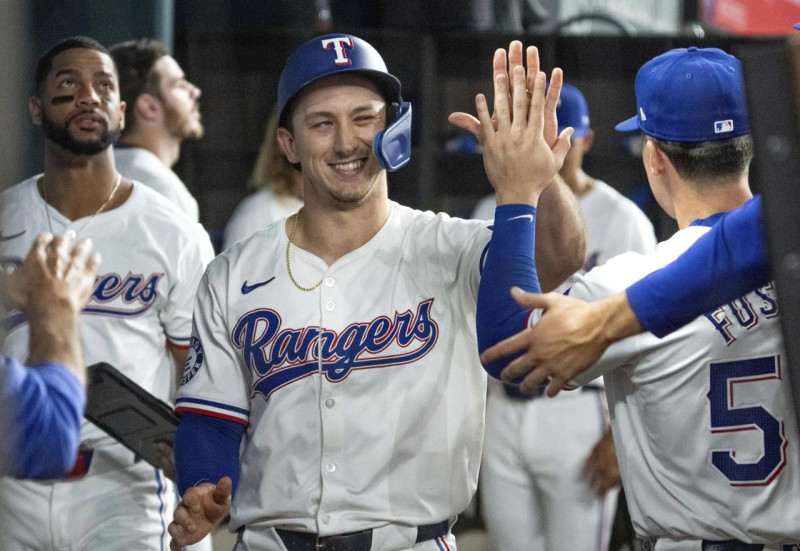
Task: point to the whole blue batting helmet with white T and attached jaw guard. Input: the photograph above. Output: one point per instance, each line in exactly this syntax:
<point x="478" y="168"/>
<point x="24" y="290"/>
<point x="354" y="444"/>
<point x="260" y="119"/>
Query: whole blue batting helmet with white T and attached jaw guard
<point x="333" y="54"/>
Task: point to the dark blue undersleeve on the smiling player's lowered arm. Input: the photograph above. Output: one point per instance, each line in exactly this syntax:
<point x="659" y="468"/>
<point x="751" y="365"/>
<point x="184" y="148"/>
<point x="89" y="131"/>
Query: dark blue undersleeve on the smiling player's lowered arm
<point x="206" y="449"/>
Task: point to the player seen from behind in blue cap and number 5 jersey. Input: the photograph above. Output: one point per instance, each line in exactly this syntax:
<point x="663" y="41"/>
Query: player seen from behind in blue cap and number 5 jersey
<point x="703" y="419"/>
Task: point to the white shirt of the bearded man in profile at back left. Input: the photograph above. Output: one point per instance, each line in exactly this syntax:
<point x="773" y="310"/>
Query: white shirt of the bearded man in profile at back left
<point x="143" y="166"/>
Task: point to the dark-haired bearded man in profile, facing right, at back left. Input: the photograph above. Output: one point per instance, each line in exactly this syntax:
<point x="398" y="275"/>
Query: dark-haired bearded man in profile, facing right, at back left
<point x="162" y="111"/>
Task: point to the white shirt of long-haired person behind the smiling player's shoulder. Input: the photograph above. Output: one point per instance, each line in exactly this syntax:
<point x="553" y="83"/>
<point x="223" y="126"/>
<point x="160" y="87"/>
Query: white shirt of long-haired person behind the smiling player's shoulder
<point x="256" y="212"/>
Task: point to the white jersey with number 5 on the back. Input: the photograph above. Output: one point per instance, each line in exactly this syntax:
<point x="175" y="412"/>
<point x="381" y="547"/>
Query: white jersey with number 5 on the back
<point x="703" y="419"/>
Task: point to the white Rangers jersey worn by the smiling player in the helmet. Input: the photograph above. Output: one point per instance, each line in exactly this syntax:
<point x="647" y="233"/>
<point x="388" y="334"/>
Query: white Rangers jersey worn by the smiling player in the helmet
<point x="378" y="422"/>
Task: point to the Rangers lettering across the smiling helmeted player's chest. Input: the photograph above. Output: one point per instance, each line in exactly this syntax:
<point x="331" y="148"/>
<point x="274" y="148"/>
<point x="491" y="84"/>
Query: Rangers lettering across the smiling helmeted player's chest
<point x="278" y="357"/>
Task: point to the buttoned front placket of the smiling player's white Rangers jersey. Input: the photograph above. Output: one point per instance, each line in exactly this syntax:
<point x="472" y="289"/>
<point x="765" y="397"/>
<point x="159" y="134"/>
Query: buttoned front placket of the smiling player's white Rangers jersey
<point x="332" y="417"/>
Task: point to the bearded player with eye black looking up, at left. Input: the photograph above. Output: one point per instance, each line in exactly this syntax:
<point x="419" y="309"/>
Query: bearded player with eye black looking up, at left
<point x="138" y="315"/>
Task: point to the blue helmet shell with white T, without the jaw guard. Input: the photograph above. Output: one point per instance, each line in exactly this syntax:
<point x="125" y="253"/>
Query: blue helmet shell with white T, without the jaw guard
<point x="329" y="55"/>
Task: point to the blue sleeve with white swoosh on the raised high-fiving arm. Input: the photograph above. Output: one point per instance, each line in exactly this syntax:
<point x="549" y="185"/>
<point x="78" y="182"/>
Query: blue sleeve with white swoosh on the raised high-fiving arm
<point x="509" y="261"/>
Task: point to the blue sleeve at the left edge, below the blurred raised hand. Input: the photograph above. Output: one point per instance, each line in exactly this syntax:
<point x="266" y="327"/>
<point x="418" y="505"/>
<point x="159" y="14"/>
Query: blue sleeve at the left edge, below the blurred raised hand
<point x="47" y="404"/>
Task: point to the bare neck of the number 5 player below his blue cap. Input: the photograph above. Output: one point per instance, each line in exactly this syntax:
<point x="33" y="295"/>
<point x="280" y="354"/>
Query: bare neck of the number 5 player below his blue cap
<point x="701" y="201"/>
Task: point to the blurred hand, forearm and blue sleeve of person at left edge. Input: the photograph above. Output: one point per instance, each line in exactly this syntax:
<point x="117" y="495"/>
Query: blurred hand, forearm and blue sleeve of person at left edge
<point x="42" y="405"/>
